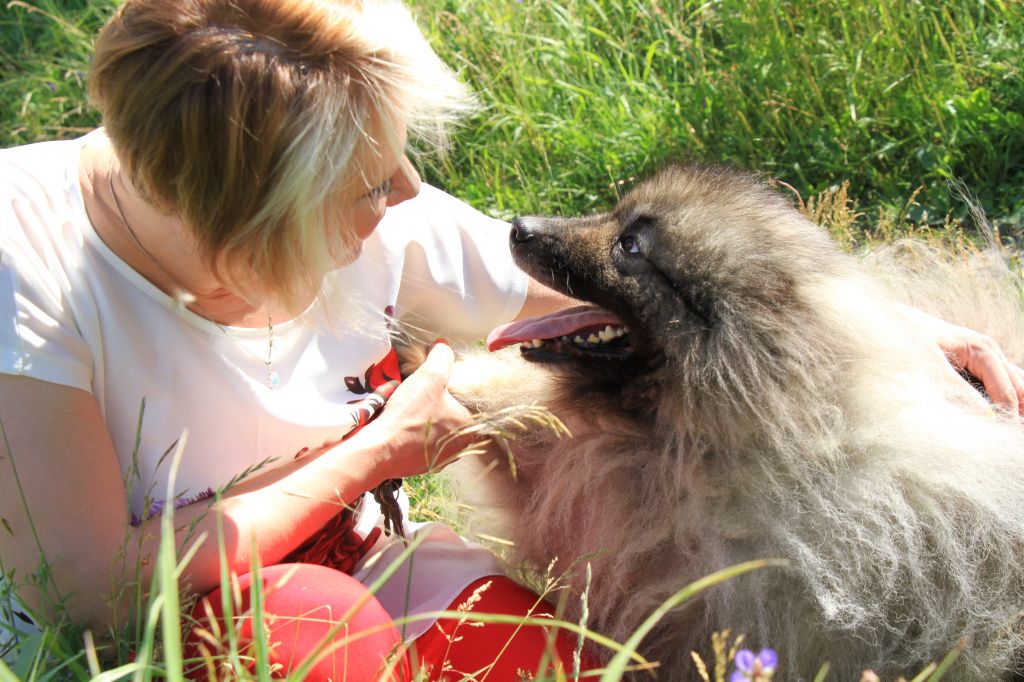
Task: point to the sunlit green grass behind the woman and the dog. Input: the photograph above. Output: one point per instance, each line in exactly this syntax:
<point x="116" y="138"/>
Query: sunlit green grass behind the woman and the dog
<point x="580" y="97"/>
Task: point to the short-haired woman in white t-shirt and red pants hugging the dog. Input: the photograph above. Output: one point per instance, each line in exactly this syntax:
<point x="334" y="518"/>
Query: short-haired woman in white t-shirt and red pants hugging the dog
<point x="221" y="251"/>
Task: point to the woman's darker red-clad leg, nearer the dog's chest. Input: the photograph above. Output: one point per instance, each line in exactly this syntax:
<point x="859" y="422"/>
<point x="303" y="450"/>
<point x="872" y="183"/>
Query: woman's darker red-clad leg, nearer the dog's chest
<point x="498" y="653"/>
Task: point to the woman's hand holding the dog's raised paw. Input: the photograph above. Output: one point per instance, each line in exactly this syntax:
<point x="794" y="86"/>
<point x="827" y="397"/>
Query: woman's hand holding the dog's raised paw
<point x="413" y="433"/>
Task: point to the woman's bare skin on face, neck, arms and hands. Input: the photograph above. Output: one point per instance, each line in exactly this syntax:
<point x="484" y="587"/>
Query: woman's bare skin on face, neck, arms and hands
<point x="61" y="439"/>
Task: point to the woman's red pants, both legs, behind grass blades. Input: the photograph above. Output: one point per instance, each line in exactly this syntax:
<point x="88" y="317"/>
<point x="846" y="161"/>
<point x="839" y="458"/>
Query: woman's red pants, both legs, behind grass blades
<point x="305" y="604"/>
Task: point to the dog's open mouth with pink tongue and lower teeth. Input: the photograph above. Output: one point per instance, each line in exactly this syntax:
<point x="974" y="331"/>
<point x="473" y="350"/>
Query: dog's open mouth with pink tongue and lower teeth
<point x="583" y="331"/>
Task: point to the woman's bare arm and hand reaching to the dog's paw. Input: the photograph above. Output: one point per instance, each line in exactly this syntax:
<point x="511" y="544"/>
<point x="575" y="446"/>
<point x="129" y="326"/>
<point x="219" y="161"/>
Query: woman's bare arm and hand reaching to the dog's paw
<point x="69" y="493"/>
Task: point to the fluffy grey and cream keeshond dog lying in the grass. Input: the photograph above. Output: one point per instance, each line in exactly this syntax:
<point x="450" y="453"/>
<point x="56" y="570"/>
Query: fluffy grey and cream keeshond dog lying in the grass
<point x="741" y="389"/>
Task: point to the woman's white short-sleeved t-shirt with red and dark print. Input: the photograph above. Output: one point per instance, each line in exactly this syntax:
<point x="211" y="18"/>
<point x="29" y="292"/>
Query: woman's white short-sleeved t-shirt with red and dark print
<point x="72" y="313"/>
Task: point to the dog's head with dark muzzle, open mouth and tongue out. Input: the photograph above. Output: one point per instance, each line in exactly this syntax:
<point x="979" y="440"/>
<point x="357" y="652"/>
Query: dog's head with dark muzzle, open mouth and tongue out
<point x="701" y="268"/>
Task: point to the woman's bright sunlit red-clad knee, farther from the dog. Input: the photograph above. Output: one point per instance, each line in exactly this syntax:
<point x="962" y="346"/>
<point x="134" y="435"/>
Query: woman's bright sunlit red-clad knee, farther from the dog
<point x="304" y="605"/>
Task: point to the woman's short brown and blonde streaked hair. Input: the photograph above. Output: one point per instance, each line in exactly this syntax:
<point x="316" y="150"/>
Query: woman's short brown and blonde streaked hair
<point x="246" y="118"/>
